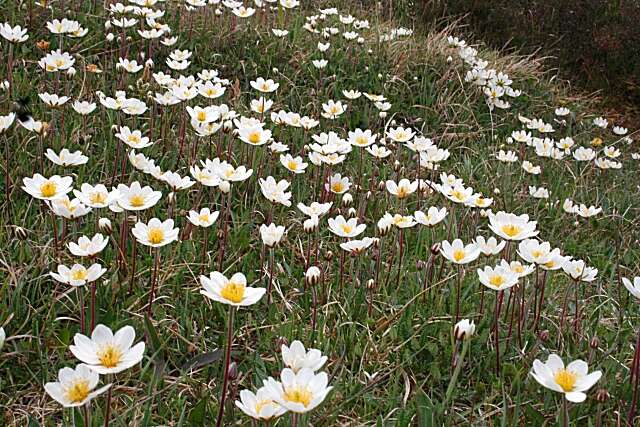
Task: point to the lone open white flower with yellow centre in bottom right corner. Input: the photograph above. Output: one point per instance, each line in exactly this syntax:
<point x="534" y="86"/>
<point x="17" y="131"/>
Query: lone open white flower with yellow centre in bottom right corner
<point x="573" y="380"/>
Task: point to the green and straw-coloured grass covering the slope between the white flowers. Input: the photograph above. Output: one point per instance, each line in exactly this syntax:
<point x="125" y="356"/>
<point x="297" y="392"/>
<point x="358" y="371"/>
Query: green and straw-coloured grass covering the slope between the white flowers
<point x="388" y="368"/>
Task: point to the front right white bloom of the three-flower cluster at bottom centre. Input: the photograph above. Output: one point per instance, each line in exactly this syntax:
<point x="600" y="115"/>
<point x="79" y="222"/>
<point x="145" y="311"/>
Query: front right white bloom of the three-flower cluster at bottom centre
<point x="299" y="392"/>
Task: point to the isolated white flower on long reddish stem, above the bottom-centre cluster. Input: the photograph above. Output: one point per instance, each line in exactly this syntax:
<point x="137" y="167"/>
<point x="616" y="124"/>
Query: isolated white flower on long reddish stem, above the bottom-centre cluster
<point x="233" y="291"/>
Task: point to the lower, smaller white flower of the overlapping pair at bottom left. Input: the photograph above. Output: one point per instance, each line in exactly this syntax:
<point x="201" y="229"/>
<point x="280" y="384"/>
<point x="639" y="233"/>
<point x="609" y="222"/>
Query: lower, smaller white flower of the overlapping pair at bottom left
<point x="75" y="387"/>
